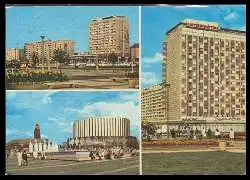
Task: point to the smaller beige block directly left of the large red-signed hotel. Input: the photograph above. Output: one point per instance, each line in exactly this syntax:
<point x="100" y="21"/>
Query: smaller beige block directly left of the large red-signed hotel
<point x="153" y="103"/>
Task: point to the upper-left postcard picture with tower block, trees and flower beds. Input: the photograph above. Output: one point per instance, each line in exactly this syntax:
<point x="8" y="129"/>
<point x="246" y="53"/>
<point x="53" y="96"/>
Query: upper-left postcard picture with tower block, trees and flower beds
<point x="72" y="47"/>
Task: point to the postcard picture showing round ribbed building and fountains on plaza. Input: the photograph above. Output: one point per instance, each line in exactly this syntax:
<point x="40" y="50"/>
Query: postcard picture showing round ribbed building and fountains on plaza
<point x="72" y="133"/>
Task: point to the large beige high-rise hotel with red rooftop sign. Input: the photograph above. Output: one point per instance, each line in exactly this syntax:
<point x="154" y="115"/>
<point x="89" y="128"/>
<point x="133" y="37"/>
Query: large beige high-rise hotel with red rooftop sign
<point x="206" y="70"/>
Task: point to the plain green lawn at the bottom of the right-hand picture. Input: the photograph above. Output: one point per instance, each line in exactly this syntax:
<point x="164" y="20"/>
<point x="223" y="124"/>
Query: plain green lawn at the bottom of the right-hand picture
<point x="194" y="163"/>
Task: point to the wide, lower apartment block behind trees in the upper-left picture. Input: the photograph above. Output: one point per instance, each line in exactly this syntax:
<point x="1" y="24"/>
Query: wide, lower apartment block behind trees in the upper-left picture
<point x="48" y="46"/>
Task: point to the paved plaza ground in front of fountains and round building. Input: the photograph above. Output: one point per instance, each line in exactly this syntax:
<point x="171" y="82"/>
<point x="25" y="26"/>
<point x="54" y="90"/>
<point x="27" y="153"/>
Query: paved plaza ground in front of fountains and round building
<point x="128" y="166"/>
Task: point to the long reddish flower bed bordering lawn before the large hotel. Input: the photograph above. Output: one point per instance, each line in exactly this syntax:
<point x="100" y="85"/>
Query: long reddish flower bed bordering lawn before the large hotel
<point x="181" y="142"/>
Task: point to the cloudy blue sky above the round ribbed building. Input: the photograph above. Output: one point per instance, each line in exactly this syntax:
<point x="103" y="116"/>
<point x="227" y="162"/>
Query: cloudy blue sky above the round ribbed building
<point x="55" y="111"/>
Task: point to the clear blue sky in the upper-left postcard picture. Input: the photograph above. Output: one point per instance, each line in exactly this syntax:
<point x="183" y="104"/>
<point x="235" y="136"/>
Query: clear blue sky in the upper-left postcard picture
<point x="25" y="24"/>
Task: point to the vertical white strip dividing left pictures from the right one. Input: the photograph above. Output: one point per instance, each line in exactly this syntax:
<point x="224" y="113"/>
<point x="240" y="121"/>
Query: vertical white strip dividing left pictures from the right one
<point x="140" y="73"/>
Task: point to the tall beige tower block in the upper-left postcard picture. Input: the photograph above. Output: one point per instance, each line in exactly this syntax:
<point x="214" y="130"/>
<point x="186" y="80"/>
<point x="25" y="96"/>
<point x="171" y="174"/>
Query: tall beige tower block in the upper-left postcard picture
<point x="109" y="35"/>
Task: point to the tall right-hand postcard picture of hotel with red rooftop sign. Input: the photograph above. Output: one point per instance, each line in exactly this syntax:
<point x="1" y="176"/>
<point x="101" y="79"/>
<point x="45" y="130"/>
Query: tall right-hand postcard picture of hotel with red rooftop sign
<point x="193" y="89"/>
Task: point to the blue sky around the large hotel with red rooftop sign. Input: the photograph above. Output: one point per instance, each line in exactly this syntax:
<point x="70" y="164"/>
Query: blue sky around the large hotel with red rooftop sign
<point x="156" y="21"/>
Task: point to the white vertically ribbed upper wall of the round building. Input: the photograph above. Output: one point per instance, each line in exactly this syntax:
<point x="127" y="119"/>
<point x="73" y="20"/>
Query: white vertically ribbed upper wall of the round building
<point x="102" y="127"/>
